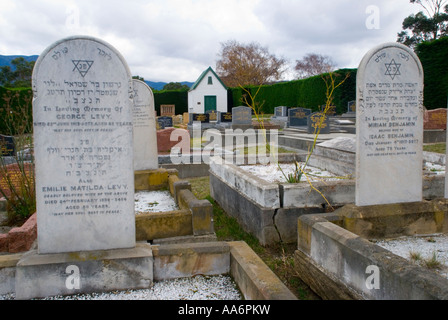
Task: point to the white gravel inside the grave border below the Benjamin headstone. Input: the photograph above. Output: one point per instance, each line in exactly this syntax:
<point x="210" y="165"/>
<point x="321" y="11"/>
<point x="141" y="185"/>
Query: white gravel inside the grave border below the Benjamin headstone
<point x="426" y="245"/>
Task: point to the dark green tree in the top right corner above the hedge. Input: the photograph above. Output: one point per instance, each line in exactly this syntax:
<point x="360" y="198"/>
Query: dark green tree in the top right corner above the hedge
<point x="426" y="25"/>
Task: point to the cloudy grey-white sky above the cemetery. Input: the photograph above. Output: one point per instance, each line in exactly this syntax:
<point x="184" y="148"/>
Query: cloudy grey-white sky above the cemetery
<point x="175" y="40"/>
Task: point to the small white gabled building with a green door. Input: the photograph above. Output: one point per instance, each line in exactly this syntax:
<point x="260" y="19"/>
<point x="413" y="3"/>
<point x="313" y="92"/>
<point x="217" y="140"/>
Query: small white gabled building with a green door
<point x="207" y="93"/>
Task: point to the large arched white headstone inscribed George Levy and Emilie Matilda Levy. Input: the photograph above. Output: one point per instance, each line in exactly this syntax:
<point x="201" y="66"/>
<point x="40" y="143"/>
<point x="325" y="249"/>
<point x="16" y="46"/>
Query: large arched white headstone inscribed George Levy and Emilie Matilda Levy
<point x="83" y="138"/>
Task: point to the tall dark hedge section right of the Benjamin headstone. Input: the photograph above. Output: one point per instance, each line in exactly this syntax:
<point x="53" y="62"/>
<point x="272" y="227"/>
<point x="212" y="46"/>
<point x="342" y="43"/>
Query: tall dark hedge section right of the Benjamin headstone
<point x="433" y="56"/>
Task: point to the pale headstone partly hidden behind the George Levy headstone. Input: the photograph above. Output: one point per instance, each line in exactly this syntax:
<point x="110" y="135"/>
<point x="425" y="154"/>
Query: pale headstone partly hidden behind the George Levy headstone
<point x="145" y="134"/>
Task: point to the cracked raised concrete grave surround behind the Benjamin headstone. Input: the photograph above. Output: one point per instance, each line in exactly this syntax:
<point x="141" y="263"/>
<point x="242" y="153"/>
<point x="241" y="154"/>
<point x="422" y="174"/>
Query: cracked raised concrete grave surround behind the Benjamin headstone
<point x="269" y="211"/>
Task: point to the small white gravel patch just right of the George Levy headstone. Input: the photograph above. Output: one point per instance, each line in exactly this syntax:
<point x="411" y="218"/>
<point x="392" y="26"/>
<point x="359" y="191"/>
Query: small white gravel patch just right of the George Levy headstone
<point x="154" y="201"/>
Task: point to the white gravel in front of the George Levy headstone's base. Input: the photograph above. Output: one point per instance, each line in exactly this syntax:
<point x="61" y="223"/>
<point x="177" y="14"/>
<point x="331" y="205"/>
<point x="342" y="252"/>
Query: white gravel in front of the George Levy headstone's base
<point x="220" y="287"/>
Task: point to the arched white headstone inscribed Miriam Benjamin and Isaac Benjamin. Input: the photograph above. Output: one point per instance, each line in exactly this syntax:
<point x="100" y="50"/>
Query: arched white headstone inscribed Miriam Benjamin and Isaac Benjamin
<point x="389" y="120"/>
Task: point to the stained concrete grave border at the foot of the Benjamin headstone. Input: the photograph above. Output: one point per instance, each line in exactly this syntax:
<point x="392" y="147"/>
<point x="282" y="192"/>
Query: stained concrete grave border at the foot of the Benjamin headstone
<point x="334" y="251"/>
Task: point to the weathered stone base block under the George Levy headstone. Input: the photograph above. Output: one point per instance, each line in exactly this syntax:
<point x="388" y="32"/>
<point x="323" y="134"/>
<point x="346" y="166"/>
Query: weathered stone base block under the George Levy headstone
<point x="44" y="275"/>
